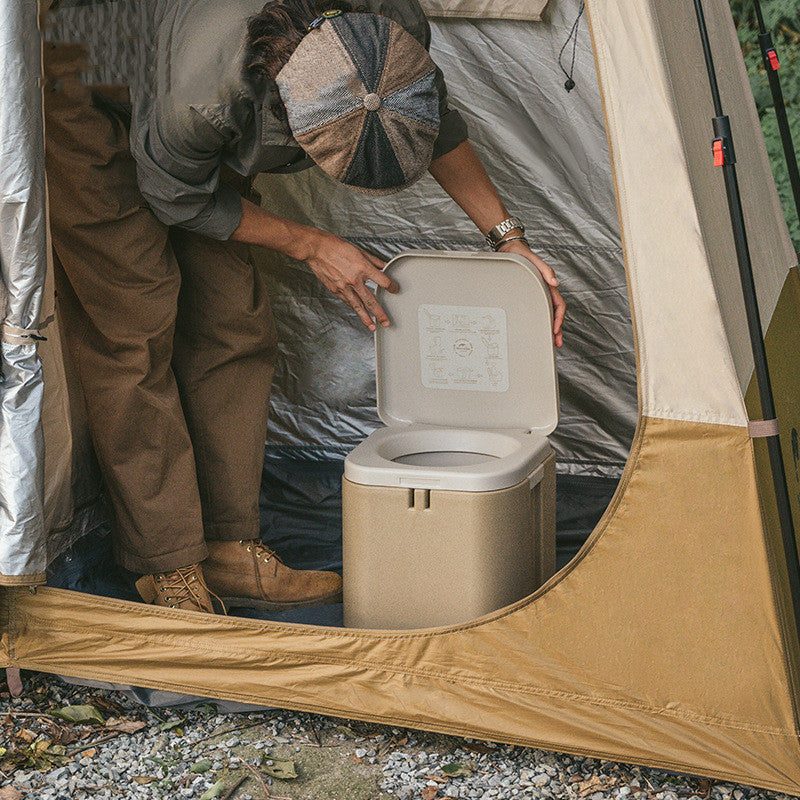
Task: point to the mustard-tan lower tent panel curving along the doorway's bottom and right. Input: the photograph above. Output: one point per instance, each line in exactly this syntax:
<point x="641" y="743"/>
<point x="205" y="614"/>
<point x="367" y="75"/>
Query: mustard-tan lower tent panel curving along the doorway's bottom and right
<point x="644" y="649"/>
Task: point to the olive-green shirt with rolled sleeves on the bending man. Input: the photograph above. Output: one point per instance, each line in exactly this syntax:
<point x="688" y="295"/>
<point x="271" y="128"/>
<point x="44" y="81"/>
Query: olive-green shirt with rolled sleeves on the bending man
<point x="197" y="113"/>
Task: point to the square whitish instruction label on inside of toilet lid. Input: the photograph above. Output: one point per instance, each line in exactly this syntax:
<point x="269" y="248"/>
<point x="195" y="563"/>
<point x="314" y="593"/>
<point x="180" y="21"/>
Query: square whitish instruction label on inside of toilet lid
<point x="463" y="347"/>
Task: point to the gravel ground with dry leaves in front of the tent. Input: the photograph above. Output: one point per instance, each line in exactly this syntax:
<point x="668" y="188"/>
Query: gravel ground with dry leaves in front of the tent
<point x="61" y="741"/>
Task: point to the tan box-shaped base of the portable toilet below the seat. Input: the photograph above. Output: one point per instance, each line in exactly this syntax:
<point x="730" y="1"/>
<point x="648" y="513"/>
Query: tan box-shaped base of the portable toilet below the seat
<point x="418" y="558"/>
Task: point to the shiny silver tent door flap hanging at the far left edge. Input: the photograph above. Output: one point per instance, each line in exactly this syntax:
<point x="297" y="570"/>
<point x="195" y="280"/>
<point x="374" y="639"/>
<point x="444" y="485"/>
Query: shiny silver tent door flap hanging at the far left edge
<point x="23" y="258"/>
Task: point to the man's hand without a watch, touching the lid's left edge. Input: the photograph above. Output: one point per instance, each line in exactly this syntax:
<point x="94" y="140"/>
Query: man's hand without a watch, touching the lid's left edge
<point x="344" y="270"/>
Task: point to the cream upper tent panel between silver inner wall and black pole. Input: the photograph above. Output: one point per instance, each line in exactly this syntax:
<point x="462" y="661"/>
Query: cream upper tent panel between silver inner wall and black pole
<point x="685" y="367"/>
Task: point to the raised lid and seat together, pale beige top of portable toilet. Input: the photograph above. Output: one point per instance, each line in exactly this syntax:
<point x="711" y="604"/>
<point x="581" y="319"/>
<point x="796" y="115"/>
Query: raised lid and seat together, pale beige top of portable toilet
<point x="470" y="344"/>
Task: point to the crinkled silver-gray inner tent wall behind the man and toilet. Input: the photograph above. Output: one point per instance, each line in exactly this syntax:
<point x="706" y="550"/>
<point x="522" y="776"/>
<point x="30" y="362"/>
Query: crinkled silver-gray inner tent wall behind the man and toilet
<point x="553" y="173"/>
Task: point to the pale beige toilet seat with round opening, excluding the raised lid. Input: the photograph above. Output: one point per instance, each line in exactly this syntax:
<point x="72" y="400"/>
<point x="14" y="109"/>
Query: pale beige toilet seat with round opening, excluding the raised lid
<point x="509" y="458"/>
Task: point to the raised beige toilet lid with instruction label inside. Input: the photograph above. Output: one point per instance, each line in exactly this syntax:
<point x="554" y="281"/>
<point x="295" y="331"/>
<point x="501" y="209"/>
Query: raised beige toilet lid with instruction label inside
<point x="470" y="343"/>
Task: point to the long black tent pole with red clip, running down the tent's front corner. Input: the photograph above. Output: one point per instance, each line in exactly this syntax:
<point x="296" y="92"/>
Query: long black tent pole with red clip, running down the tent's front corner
<point x="725" y="157"/>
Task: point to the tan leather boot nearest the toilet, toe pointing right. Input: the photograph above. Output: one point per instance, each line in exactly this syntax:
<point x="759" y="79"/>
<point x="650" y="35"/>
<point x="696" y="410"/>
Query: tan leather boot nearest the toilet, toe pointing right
<point x="248" y="573"/>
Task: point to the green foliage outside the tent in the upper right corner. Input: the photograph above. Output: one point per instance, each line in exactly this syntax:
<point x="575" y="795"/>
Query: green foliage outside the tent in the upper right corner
<point x="782" y="18"/>
